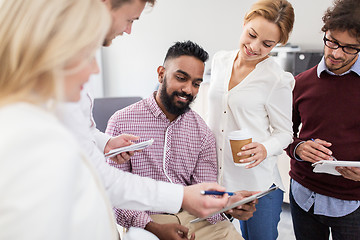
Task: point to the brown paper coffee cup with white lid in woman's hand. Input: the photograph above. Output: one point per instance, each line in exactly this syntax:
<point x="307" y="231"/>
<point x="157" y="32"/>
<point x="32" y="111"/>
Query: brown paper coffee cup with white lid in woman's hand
<point x="237" y="140"/>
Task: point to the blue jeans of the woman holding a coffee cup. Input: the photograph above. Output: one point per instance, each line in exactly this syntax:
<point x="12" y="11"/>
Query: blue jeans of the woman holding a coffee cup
<point x="263" y="225"/>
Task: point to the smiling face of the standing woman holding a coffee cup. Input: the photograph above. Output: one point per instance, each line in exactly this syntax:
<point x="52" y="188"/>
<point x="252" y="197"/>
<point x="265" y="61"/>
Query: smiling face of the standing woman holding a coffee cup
<point x="258" y="38"/>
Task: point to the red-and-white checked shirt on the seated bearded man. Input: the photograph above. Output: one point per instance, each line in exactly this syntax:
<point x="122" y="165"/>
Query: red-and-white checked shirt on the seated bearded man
<point x="183" y="151"/>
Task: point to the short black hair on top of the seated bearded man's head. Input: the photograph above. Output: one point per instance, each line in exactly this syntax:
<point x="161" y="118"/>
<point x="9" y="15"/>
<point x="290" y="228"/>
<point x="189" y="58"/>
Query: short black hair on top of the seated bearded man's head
<point x="187" y="48"/>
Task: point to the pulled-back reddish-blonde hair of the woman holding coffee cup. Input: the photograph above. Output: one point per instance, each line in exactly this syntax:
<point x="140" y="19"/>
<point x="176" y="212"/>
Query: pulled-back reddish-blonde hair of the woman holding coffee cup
<point x="279" y="12"/>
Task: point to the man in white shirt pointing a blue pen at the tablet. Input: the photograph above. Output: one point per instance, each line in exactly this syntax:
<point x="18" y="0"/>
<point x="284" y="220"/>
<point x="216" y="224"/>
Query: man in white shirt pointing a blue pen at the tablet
<point x="125" y="190"/>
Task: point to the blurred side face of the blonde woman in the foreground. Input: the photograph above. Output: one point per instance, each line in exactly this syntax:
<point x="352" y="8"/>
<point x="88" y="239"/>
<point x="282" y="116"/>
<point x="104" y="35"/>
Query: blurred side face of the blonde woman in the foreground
<point x="77" y="73"/>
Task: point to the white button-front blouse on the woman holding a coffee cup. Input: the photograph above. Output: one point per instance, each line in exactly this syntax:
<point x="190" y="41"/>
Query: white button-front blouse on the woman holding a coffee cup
<point x="262" y="103"/>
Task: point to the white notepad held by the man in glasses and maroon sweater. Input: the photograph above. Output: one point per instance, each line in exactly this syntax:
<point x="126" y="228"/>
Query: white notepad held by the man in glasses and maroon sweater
<point x="327" y="166"/>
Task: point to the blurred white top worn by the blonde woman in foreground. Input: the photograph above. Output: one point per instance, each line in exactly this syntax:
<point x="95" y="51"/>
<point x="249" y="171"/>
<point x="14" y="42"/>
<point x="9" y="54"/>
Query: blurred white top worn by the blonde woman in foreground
<point x="48" y="189"/>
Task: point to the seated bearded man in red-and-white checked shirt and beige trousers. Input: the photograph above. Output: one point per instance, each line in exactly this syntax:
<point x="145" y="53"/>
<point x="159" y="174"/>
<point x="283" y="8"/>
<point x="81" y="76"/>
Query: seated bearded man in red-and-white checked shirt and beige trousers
<point x="183" y="151"/>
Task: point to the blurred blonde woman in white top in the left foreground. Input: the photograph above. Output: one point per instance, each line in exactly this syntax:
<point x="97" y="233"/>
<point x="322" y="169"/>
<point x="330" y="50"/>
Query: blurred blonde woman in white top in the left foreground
<point x="48" y="189"/>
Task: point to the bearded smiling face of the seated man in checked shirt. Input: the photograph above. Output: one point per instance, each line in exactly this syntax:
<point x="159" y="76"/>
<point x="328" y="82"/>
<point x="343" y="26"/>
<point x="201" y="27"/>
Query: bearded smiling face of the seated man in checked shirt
<point x="180" y="80"/>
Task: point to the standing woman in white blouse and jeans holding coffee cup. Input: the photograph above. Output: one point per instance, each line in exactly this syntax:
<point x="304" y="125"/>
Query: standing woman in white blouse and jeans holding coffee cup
<point x="250" y="91"/>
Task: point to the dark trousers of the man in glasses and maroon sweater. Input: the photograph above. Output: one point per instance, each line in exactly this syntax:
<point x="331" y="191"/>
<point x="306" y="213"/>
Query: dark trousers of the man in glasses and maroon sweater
<point x="309" y="226"/>
